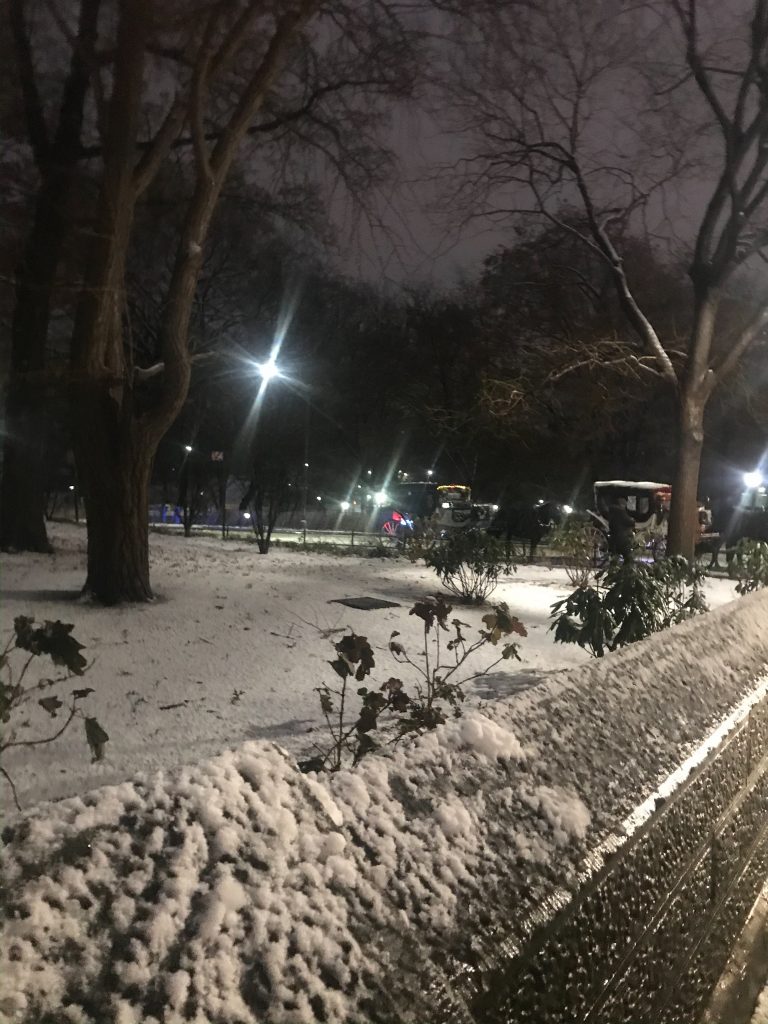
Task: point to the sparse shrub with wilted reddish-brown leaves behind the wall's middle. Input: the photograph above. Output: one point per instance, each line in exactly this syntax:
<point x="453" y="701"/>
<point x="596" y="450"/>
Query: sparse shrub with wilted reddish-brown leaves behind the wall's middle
<point x="398" y="709"/>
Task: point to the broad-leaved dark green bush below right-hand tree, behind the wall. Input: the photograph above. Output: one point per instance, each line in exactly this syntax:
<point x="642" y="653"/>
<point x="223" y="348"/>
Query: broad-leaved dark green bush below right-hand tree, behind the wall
<point x="627" y="604"/>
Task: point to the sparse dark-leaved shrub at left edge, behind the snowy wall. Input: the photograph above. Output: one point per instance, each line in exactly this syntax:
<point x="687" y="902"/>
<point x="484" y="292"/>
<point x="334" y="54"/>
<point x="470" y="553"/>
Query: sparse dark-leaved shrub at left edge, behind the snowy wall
<point x="54" y="641"/>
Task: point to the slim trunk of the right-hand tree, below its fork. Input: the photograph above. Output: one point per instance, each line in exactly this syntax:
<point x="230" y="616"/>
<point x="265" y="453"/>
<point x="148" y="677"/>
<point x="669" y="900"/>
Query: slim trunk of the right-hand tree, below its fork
<point x="685" y="513"/>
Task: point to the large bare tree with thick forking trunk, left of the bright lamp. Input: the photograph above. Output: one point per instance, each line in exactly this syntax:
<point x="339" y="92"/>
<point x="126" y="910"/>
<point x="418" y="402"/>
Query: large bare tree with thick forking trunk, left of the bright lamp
<point x="288" y="76"/>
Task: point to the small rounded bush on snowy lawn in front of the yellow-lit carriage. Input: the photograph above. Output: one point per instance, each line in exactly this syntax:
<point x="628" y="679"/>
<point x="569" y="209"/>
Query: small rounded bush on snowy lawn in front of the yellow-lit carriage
<point x="470" y="564"/>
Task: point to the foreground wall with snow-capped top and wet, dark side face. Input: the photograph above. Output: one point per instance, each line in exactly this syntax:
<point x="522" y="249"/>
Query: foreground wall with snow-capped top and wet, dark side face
<point x="511" y="867"/>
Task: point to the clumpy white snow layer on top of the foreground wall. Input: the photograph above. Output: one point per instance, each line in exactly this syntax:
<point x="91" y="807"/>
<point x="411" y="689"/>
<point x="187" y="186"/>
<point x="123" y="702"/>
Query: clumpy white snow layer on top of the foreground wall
<point x="241" y="891"/>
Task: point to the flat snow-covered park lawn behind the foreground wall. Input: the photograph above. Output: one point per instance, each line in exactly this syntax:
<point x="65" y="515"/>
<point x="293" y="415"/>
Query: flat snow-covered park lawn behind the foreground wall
<point x="234" y="647"/>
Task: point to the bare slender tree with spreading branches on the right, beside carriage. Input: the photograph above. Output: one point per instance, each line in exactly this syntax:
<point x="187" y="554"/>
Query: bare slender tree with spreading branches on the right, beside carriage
<point x="622" y="109"/>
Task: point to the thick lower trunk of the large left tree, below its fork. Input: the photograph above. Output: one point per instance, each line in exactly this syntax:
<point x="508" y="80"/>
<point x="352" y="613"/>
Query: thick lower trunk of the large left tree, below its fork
<point x="114" y="459"/>
